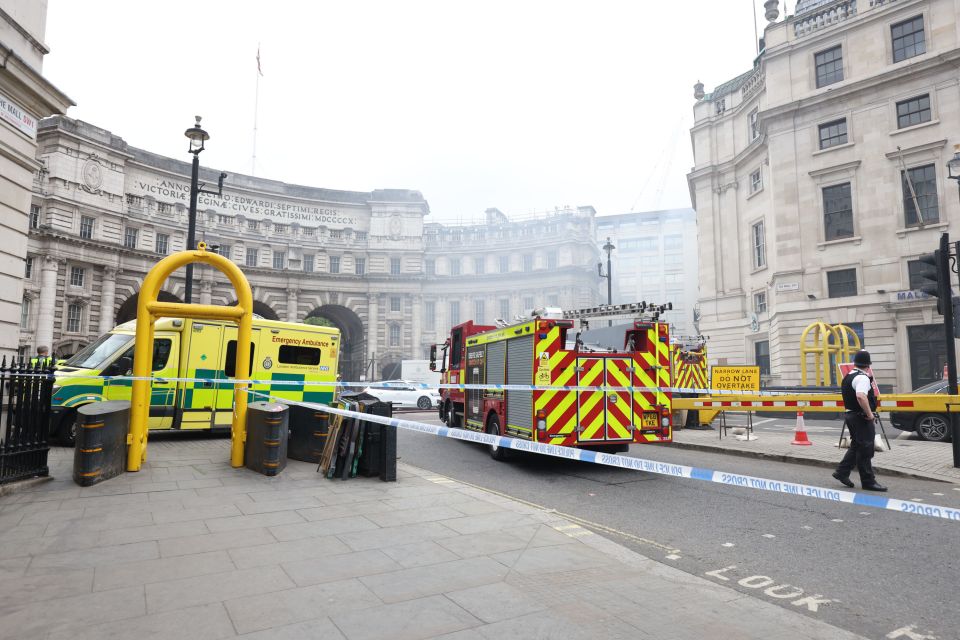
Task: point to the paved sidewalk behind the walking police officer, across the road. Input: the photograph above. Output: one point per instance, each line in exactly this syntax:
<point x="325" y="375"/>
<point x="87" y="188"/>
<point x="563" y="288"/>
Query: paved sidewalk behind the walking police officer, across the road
<point x="914" y="458"/>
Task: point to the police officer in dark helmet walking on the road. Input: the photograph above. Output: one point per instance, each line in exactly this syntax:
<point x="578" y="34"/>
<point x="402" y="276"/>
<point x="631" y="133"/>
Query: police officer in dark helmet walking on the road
<point x="860" y="402"/>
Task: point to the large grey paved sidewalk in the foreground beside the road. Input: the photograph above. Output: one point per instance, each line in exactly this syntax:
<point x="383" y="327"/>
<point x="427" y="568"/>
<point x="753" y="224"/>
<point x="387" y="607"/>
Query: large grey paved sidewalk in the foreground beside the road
<point x="190" y="548"/>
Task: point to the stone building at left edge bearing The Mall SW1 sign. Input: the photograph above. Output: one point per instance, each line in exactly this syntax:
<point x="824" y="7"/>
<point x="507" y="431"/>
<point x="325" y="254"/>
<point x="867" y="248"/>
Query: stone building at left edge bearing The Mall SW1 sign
<point x="25" y="97"/>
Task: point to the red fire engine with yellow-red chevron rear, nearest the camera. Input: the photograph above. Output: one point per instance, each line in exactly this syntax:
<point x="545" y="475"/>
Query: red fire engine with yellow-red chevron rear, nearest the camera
<point x="543" y="350"/>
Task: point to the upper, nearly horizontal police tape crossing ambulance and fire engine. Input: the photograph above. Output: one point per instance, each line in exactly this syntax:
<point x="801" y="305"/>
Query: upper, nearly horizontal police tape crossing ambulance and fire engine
<point x="414" y="385"/>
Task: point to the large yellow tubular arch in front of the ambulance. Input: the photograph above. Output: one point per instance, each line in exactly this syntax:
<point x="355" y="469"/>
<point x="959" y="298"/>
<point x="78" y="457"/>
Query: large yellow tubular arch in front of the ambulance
<point x="149" y="309"/>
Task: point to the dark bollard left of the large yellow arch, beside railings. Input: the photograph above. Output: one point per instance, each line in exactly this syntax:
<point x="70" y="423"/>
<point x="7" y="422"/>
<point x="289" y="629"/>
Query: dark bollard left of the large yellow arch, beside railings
<point x="100" y="452"/>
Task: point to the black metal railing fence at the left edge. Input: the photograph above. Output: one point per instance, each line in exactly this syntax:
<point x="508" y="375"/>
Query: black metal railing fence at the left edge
<point x="25" y="392"/>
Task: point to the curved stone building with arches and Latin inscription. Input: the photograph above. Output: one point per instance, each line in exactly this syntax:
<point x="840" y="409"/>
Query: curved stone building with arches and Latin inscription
<point x="363" y="261"/>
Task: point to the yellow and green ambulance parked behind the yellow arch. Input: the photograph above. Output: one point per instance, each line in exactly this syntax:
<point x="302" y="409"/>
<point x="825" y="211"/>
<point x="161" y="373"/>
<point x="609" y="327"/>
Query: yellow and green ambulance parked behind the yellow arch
<point x="186" y="350"/>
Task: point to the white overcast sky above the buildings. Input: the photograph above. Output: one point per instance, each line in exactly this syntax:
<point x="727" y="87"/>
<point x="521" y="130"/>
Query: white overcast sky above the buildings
<point x="521" y="105"/>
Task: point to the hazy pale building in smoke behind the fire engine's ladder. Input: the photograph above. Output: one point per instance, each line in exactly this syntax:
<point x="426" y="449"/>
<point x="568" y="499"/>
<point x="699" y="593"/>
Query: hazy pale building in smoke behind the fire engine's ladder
<point x="654" y="259"/>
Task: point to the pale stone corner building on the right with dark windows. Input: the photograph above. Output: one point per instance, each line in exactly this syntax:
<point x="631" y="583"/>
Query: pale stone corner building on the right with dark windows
<point x="821" y="176"/>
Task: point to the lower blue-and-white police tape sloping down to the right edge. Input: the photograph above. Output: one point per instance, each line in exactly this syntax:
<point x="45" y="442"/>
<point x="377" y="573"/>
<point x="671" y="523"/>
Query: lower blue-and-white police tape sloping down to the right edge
<point x="643" y="464"/>
